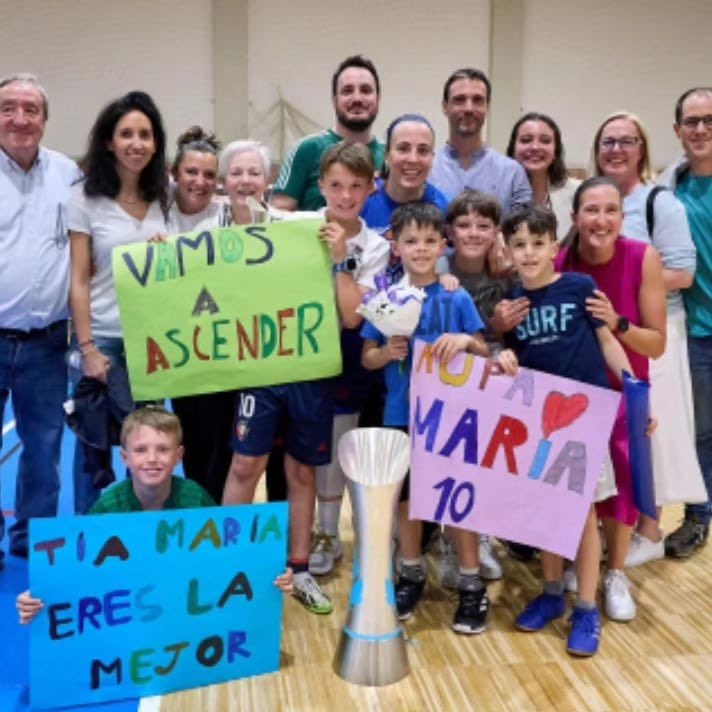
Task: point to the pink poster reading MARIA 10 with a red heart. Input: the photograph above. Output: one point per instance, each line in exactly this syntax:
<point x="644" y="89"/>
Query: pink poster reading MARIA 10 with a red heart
<point x="517" y="457"/>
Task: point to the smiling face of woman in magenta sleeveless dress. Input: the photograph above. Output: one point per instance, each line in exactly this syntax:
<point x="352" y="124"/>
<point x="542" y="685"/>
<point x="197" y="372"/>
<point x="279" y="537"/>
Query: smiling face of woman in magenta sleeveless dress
<point x="599" y="217"/>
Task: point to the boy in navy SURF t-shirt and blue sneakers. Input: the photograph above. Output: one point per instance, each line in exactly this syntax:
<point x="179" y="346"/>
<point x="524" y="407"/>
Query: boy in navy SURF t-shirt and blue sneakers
<point x="559" y="336"/>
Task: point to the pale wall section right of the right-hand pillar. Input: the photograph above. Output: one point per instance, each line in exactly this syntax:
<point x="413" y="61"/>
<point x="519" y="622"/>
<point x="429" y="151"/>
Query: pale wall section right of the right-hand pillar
<point x="585" y="60"/>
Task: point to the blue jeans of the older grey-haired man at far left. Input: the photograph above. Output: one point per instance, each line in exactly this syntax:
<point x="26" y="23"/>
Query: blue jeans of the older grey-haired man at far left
<point x="34" y="374"/>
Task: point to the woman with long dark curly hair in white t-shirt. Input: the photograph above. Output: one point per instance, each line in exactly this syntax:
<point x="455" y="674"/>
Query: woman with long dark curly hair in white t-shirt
<point x="122" y="200"/>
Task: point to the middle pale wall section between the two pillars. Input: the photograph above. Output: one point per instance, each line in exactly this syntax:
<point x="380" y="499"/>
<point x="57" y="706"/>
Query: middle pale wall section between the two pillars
<point x="415" y="44"/>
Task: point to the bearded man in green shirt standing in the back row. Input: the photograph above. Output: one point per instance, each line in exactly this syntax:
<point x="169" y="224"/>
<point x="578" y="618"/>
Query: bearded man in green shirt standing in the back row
<point x="355" y="94"/>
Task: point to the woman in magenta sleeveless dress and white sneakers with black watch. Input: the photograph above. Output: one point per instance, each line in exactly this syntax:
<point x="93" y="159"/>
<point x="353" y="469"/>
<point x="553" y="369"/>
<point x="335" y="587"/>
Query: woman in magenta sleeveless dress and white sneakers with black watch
<point x="631" y="301"/>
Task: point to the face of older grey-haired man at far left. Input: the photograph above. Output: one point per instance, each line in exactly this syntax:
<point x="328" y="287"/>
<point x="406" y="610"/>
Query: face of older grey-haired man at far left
<point x="22" y="121"/>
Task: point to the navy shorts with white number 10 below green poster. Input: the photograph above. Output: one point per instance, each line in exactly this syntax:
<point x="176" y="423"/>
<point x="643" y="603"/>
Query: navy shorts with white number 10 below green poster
<point x="301" y="413"/>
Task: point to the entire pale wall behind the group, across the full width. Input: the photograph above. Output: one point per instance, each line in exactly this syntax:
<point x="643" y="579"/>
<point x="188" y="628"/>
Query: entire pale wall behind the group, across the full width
<point x="580" y="59"/>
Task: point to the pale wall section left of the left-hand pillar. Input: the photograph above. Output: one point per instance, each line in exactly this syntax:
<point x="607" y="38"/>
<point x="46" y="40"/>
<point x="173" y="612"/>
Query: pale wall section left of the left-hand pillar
<point x="87" y="52"/>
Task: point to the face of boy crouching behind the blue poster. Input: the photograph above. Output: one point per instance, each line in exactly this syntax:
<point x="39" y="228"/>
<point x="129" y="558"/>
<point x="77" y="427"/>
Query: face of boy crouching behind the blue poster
<point x="151" y="455"/>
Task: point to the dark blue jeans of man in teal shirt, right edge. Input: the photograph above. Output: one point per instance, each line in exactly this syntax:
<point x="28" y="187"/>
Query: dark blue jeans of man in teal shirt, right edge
<point x="700" y="354"/>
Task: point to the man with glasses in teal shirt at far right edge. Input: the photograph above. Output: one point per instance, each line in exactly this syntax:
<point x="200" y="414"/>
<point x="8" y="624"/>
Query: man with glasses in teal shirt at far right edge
<point x="691" y="179"/>
